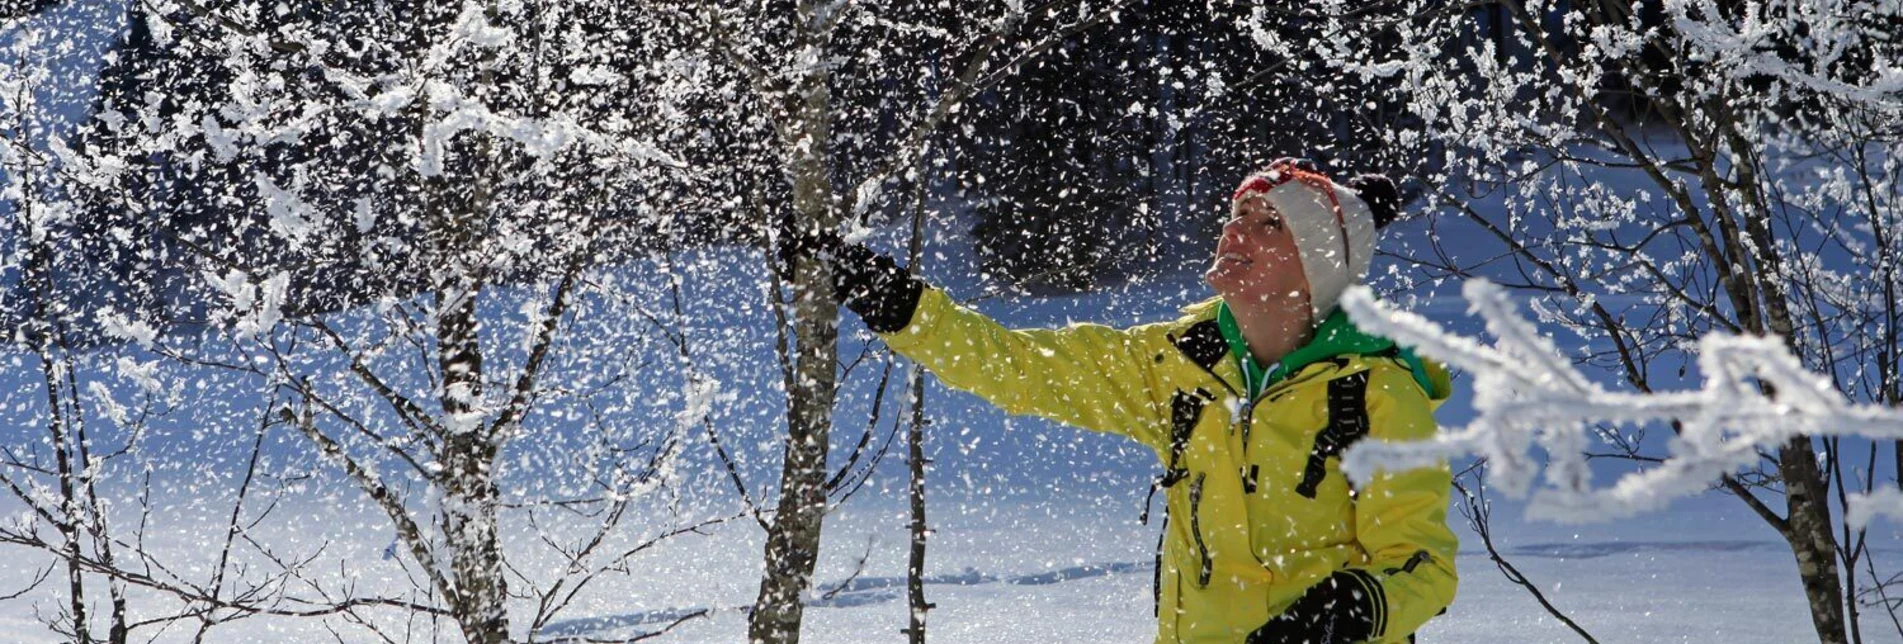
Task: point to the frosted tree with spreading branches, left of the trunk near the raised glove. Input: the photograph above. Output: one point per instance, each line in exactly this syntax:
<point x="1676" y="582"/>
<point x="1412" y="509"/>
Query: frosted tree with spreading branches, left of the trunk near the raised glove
<point x="410" y="228"/>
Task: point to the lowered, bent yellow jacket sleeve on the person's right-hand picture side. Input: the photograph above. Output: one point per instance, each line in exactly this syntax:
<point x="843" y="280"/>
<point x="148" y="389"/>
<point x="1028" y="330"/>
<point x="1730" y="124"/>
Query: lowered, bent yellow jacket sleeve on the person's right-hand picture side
<point x="1402" y="517"/>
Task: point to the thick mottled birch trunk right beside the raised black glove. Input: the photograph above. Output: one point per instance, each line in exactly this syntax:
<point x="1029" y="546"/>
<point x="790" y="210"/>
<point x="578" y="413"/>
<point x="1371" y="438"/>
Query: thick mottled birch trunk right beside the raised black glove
<point x="795" y="536"/>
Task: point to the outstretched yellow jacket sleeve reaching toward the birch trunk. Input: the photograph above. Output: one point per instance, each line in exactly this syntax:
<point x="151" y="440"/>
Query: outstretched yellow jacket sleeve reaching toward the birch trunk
<point x="1084" y="374"/>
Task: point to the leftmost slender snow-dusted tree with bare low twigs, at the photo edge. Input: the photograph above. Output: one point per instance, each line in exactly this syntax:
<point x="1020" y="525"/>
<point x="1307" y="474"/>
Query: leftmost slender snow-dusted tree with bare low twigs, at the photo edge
<point x="83" y="413"/>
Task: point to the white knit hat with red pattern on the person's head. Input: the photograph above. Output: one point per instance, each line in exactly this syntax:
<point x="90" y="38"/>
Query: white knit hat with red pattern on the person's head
<point x="1333" y="228"/>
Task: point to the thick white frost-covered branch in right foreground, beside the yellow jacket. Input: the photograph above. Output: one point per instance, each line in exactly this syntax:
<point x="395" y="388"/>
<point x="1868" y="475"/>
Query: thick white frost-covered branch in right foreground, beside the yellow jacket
<point x="1527" y="397"/>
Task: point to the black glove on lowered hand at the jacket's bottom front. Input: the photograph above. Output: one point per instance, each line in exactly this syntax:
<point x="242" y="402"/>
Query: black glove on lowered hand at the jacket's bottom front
<point x="1339" y="611"/>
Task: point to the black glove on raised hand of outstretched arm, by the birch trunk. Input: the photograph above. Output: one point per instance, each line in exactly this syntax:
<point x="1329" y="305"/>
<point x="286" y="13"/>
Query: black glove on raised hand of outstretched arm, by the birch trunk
<point x="873" y="285"/>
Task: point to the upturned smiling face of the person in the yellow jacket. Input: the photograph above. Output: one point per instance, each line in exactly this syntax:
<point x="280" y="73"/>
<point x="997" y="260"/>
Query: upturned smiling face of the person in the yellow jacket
<point x="1257" y="258"/>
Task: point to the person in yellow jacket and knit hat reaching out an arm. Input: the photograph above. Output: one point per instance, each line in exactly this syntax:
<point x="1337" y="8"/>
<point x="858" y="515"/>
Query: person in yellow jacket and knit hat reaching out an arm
<point x="1247" y="401"/>
